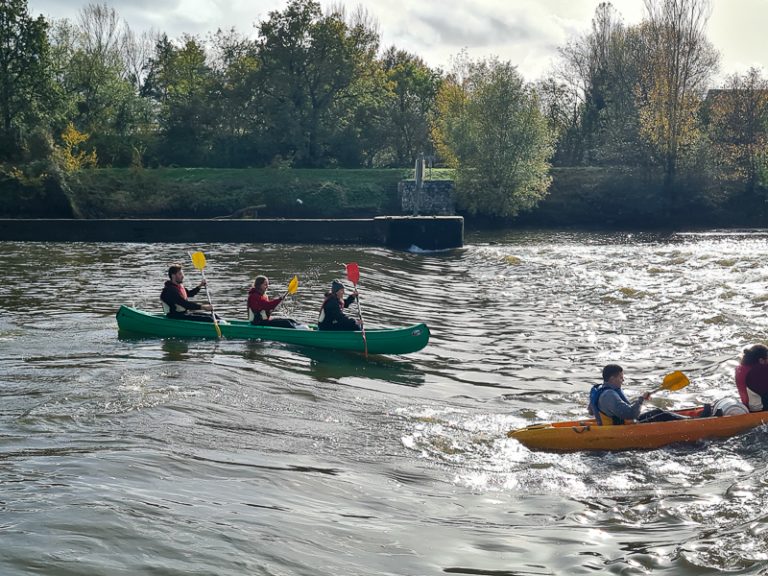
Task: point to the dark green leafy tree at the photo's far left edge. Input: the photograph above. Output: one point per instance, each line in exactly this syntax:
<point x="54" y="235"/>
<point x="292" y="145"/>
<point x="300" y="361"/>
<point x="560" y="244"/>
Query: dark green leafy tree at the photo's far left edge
<point x="25" y="74"/>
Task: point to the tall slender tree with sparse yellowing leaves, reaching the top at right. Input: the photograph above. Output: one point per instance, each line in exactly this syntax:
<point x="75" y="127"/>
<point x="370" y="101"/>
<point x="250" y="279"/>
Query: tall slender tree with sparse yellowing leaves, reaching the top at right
<point x="680" y="64"/>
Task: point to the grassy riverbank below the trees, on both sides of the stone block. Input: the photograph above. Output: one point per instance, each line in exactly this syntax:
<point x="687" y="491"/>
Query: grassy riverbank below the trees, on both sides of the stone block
<point x="579" y="196"/>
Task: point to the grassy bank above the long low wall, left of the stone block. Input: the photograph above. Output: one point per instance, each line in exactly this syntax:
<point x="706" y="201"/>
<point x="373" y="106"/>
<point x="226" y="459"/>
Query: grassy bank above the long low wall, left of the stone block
<point x="202" y="193"/>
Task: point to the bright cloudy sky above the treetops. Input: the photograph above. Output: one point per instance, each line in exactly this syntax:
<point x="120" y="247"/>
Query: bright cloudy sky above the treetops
<point x="525" y="32"/>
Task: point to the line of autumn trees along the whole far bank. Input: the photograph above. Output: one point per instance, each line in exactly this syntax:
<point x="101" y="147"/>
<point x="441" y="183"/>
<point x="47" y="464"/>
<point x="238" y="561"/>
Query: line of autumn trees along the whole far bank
<point x="316" y="89"/>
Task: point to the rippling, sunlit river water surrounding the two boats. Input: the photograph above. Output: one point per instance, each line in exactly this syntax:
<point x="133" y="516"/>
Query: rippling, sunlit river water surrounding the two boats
<point x="123" y="456"/>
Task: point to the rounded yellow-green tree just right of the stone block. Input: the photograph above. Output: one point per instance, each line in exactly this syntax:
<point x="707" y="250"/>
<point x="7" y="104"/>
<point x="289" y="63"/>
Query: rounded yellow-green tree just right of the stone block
<point x="491" y="129"/>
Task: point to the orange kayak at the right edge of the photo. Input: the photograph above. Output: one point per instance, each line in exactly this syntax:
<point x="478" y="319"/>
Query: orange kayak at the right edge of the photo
<point x="587" y="435"/>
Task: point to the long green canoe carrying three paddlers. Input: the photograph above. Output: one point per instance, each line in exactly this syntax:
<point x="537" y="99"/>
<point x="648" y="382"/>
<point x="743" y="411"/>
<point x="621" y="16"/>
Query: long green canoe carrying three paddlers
<point x="380" y="341"/>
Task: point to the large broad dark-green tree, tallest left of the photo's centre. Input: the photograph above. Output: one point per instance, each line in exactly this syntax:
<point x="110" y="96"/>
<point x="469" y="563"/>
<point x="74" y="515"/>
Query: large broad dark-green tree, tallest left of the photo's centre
<point x="310" y="61"/>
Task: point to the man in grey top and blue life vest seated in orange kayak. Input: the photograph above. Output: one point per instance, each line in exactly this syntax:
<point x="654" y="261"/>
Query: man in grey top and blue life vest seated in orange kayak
<point x="608" y="404"/>
